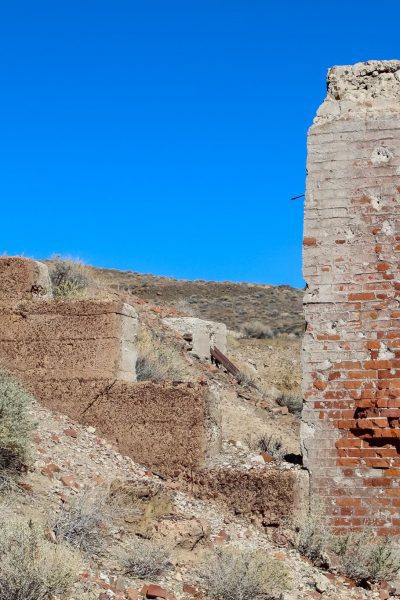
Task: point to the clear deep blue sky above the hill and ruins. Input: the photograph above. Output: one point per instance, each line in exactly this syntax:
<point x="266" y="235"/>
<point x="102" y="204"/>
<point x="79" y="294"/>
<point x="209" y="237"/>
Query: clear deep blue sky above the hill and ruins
<point x="167" y="136"/>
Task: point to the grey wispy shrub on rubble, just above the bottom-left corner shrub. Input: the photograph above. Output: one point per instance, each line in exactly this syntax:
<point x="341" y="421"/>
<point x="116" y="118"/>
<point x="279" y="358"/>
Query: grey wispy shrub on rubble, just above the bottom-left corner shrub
<point x="82" y="523"/>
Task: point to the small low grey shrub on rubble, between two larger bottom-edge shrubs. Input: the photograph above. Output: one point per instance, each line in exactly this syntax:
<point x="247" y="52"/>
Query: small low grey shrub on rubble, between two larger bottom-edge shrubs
<point x="145" y="558"/>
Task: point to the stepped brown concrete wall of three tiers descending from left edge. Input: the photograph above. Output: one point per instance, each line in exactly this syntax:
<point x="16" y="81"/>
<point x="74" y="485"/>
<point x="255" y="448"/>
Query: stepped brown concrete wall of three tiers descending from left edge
<point x="78" y="357"/>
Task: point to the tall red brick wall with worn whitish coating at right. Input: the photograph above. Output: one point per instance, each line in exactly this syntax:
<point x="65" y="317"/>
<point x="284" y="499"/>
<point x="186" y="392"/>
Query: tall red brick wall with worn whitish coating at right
<point x="351" y="351"/>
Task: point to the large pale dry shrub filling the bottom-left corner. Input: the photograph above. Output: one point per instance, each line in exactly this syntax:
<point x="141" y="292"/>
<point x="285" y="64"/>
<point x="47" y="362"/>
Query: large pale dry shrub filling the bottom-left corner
<point x="32" y="568"/>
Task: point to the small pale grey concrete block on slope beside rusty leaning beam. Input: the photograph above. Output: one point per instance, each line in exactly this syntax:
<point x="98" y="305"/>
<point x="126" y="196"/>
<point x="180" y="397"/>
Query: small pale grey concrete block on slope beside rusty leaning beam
<point x="202" y="335"/>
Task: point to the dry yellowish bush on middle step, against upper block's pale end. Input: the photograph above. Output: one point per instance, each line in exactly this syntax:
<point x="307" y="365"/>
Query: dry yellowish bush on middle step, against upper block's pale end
<point x="157" y="360"/>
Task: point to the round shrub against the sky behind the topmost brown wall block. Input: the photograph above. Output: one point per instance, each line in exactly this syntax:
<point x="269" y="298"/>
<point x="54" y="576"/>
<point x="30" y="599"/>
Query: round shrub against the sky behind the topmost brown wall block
<point x="68" y="277"/>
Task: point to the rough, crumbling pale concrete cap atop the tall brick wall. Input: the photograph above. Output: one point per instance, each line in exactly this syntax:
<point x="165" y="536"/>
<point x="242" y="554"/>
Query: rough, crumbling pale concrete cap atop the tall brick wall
<point x="361" y="89"/>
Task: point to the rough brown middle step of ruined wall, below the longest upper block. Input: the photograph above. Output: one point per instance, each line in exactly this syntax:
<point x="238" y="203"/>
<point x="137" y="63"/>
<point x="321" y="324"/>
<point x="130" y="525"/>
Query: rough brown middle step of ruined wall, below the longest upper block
<point x="165" y="425"/>
